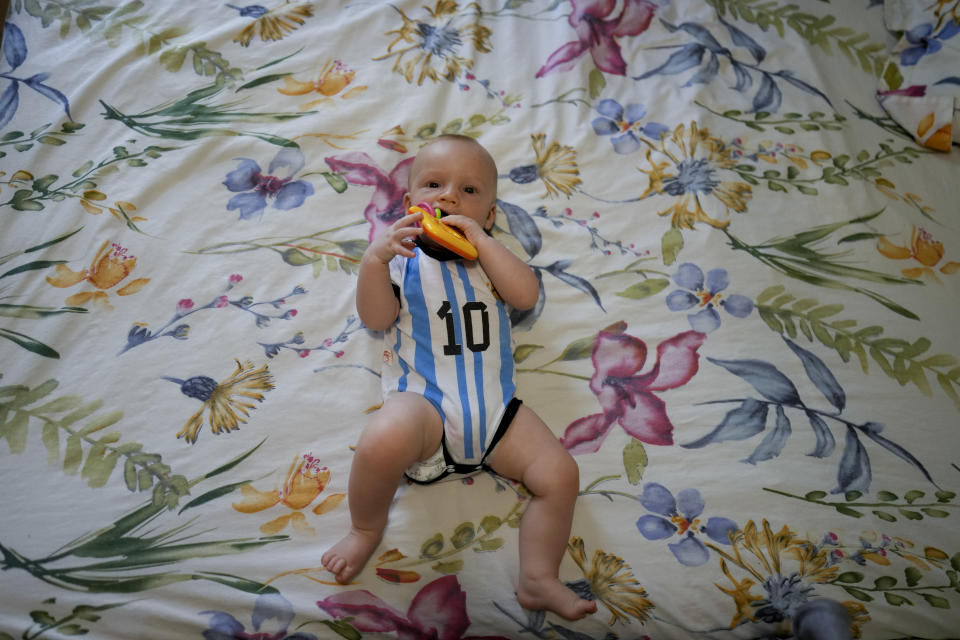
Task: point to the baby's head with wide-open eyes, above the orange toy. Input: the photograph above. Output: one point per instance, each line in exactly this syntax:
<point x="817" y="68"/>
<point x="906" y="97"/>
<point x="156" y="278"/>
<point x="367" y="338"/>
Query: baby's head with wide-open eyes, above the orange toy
<point x="458" y="178"/>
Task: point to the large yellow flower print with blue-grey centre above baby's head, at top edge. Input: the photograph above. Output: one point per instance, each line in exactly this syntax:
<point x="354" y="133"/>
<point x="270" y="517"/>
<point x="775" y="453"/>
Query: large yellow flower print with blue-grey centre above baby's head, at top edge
<point x="429" y="48"/>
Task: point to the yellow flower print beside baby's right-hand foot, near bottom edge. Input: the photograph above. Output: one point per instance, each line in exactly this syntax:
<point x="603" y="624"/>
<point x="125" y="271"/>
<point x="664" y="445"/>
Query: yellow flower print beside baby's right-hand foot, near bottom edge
<point x="610" y="581"/>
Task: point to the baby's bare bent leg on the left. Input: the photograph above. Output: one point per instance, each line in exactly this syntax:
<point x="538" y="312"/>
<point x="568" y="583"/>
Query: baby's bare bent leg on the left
<point x="406" y="429"/>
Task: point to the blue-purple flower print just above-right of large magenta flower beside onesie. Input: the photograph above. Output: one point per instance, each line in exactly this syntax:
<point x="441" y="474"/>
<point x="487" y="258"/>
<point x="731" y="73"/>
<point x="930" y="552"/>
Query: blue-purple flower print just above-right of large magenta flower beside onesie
<point x="705" y="293"/>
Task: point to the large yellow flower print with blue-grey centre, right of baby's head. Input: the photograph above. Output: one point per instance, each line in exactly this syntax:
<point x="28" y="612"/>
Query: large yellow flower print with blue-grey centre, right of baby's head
<point x="693" y="159"/>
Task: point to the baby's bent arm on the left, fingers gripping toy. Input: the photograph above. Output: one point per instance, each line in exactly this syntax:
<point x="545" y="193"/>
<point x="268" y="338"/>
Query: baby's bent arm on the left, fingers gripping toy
<point x="377" y="304"/>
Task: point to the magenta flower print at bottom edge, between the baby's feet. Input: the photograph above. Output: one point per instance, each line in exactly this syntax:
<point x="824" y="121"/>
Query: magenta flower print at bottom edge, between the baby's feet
<point x="438" y="610"/>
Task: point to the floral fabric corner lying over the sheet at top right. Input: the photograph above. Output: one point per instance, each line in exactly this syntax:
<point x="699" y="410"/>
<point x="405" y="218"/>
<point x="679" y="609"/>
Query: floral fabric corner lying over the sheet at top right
<point x="920" y="85"/>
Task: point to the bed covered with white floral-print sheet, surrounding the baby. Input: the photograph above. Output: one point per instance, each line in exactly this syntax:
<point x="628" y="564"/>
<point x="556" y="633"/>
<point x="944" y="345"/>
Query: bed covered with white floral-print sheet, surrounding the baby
<point x="743" y="215"/>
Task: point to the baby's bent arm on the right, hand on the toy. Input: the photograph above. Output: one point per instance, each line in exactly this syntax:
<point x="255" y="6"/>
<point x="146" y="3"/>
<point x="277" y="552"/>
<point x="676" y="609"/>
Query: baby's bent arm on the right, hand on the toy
<point x="513" y="279"/>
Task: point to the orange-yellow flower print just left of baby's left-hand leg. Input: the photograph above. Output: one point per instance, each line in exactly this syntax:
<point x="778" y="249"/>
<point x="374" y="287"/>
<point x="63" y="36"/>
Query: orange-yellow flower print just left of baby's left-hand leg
<point x="305" y="481"/>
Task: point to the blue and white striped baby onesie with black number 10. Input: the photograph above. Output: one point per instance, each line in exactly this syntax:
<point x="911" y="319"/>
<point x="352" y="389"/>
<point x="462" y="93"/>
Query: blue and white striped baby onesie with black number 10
<point x="451" y="343"/>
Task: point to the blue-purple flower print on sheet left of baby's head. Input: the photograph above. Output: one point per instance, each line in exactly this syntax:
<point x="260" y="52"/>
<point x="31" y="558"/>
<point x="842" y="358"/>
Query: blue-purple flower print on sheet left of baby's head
<point x="257" y="188"/>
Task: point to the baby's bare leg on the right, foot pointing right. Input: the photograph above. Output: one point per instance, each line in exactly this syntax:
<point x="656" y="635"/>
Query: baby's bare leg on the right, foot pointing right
<point x="529" y="452"/>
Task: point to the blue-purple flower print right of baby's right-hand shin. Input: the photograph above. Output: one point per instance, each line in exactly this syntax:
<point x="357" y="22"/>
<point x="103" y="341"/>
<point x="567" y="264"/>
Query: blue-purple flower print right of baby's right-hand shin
<point x="679" y="516"/>
